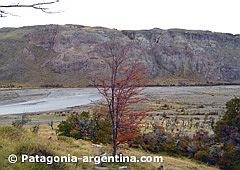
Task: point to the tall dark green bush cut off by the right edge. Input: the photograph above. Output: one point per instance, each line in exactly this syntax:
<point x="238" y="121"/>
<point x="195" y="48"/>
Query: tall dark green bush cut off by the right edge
<point x="227" y="132"/>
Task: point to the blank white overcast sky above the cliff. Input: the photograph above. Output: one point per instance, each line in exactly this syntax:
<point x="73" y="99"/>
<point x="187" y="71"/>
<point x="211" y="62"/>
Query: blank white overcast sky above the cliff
<point x="213" y="15"/>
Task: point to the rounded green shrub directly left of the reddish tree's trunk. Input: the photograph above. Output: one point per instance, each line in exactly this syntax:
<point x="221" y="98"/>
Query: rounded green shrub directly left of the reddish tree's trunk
<point x="84" y="126"/>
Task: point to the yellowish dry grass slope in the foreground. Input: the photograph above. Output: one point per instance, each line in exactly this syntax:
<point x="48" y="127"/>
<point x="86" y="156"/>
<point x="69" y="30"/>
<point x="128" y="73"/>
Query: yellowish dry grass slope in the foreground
<point x="17" y="141"/>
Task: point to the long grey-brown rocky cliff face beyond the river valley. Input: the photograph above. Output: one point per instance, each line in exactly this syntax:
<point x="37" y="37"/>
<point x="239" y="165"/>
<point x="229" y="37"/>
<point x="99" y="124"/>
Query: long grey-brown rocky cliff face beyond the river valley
<point x="55" y="54"/>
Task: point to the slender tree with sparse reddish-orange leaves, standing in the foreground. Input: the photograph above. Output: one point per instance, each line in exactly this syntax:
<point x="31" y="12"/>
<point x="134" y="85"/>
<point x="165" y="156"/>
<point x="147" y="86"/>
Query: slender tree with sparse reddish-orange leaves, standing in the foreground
<point x="120" y="85"/>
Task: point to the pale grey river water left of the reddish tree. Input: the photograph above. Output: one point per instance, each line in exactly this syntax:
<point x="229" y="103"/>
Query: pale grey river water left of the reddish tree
<point x="40" y="100"/>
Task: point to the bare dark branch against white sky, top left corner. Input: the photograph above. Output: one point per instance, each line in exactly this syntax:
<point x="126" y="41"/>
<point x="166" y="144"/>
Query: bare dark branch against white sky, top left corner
<point x="41" y="5"/>
